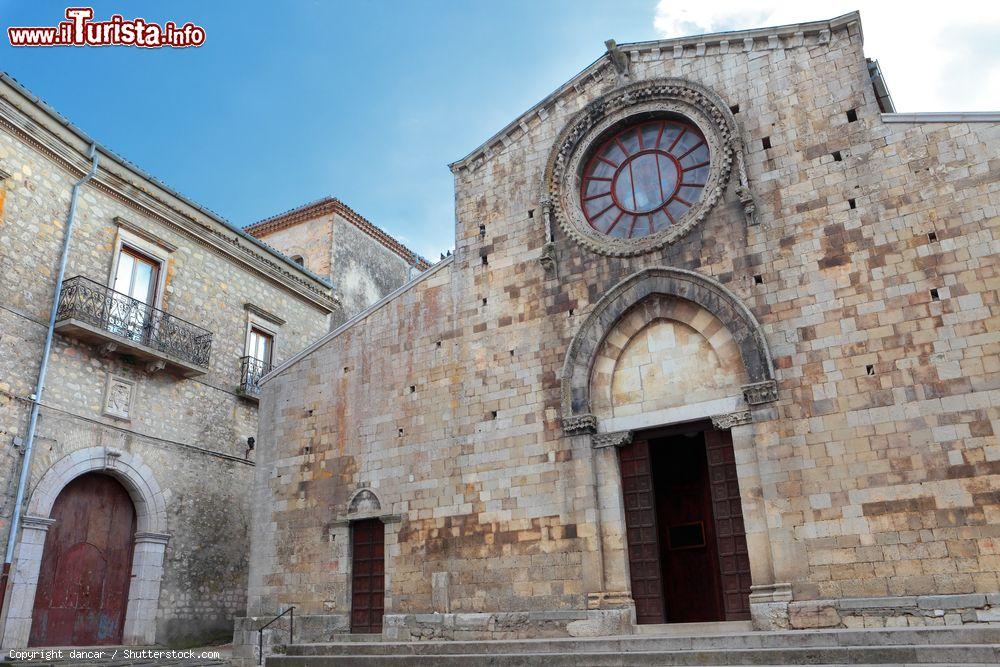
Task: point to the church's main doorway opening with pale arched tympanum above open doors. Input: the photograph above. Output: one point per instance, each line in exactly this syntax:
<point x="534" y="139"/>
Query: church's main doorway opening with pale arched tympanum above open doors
<point x="685" y="535"/>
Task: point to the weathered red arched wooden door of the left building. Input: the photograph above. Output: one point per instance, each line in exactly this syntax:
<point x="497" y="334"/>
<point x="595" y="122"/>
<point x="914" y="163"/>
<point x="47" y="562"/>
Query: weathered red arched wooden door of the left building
<point x="86" y="566"/>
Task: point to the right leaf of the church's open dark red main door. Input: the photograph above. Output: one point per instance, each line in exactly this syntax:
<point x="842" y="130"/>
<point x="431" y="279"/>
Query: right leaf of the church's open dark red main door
<point x="730" y="533"/>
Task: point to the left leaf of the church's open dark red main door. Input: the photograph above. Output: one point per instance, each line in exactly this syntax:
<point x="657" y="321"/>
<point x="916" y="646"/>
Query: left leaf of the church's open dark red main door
<point x="640" y="525"/>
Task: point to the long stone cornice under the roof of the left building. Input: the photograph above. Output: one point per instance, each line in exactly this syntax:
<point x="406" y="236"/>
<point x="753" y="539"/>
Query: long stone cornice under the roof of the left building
<point x="37" y="125"/>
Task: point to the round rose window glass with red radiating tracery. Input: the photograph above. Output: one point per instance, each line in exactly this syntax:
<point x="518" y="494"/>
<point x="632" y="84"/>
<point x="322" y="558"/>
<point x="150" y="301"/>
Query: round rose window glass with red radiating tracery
<point x="644" y="178"/>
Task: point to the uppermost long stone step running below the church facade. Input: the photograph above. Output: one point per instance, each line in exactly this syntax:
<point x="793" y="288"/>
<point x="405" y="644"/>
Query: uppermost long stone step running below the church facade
<point x="964" y="635"/>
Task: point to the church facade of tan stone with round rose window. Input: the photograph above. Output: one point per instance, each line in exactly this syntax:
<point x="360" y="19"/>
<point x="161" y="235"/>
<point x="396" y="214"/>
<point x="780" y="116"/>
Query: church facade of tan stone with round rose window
<point x="719" y="341"/>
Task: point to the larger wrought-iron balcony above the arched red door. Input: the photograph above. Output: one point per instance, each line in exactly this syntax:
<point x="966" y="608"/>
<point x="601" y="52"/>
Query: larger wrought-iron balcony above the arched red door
<point x="98" y="314"/>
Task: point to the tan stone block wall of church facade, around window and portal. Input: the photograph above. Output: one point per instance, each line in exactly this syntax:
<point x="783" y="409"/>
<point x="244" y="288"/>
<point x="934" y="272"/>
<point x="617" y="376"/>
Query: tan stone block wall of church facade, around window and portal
<point x="871" y="272"/>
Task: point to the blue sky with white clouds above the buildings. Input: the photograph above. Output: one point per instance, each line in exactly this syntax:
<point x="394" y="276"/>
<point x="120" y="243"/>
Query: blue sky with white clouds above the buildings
<point x="288" y="102"/>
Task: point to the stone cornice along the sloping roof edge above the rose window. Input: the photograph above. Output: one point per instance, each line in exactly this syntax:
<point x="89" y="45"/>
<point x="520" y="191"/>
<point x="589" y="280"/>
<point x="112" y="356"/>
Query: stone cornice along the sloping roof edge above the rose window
<point x="797" y="35"/>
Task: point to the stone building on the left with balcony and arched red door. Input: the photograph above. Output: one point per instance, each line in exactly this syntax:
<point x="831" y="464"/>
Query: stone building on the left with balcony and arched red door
<point x="136" y="517"/>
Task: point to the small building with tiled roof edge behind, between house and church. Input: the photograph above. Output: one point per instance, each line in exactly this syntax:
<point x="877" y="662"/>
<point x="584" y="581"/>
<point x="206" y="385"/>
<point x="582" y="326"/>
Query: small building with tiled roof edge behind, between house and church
<point x="326" y="236"/>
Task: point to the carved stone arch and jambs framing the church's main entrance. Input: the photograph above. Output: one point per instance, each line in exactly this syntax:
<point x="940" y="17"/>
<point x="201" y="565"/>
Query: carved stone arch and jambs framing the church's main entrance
<point x="737" y="413"/>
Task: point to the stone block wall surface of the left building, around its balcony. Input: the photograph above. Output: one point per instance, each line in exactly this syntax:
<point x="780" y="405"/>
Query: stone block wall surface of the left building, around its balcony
<point x="191" y="432"/>
